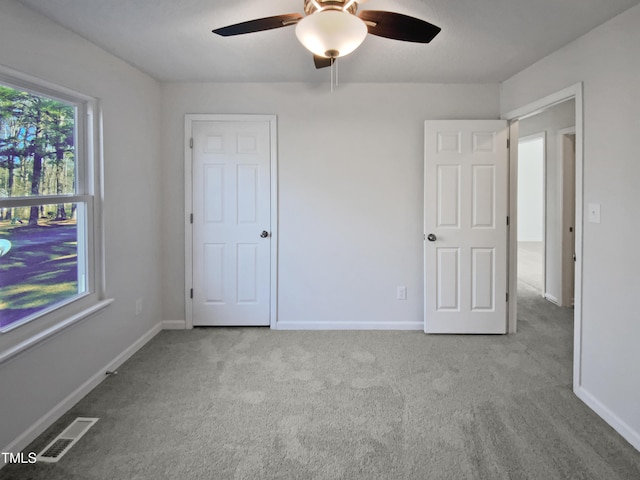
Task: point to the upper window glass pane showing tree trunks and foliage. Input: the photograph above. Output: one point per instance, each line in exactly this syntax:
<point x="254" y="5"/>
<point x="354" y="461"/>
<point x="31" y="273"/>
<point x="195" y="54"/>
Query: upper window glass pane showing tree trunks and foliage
<point x="37" y="145"/>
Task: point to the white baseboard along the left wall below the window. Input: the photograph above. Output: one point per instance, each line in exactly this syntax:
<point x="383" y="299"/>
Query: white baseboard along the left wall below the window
<point x="74" y="397"/>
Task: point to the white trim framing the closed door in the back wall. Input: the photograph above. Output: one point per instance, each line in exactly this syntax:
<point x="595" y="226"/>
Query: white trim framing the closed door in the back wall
<point x="189" y="119"/>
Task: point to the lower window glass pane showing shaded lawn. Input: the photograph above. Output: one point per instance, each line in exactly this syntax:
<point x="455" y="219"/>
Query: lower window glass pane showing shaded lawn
<point x="41" y="266"/>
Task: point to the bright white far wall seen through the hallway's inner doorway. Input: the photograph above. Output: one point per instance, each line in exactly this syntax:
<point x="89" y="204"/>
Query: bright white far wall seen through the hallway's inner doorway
<point x="531" y="190"/>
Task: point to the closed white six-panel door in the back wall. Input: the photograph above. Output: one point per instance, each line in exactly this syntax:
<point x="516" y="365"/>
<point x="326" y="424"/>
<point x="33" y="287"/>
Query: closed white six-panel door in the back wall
<point x="231" y="222"/>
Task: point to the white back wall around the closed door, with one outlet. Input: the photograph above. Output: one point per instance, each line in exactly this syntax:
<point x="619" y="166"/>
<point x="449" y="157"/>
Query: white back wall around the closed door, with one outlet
<point x="350" y="192"/>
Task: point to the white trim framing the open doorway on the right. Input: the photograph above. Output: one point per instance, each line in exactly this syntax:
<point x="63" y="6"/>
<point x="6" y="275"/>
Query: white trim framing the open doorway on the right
<point x="575" y="91"/>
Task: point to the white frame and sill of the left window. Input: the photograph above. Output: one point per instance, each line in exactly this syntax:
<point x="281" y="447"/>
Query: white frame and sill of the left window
<point x="24" y="335"/>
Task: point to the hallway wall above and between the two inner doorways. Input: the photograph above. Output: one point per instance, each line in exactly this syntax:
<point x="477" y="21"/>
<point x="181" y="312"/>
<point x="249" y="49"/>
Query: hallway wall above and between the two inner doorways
<point x="549" y="122"/>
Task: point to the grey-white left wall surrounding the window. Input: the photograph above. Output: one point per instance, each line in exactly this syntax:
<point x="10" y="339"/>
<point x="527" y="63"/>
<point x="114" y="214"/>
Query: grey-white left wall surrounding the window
<point x="34" y="382"/>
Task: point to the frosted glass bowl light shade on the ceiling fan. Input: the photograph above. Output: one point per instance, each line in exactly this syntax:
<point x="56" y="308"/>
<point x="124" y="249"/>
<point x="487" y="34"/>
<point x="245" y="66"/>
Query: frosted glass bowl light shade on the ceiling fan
<point x="331" y="33"/>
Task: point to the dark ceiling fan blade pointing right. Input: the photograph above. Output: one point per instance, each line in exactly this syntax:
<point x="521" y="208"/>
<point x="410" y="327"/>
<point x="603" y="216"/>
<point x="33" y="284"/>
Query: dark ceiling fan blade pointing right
<point x="398" y="26"/>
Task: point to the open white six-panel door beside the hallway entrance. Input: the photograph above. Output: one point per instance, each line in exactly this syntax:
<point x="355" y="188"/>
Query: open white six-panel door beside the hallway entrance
<point x="465" y="247"/>
